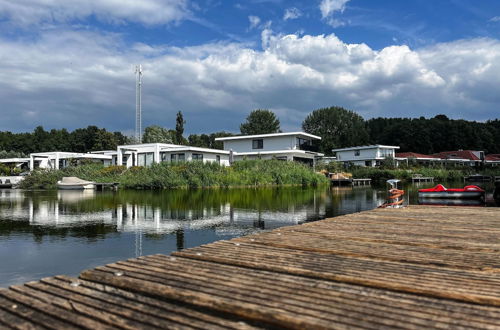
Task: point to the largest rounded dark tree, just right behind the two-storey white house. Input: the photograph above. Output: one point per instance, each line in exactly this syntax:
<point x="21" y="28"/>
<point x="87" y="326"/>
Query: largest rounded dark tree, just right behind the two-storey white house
<point x="337" y="128"/>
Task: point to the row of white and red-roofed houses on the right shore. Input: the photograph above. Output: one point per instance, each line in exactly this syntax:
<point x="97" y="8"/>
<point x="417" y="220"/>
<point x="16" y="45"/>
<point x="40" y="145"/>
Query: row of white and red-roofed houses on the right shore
<point x="374" y="155"/>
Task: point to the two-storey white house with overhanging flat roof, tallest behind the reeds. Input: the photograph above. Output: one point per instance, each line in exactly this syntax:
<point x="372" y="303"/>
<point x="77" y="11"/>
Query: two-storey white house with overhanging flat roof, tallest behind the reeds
<point x="293" y="146"/>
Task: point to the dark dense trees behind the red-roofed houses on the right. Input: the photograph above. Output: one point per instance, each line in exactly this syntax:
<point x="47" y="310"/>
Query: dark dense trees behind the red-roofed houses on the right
<point x="434" y="135"/>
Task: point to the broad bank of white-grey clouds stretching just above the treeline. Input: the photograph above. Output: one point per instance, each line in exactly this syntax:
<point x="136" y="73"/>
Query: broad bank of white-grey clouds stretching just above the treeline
<point x="74" y="79"/>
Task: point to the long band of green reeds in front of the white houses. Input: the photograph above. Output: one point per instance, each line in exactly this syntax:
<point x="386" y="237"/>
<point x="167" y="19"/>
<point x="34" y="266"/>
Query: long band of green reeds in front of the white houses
<point x="184" y="175"/>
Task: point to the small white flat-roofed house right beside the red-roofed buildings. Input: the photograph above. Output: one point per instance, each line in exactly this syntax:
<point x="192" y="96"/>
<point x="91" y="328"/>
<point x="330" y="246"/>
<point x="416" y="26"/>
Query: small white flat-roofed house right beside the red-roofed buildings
<point x="365" y="155"/>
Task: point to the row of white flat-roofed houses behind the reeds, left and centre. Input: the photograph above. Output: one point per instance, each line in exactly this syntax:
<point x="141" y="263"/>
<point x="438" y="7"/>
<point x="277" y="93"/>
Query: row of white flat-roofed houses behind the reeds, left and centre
<point x="295" y="146"/>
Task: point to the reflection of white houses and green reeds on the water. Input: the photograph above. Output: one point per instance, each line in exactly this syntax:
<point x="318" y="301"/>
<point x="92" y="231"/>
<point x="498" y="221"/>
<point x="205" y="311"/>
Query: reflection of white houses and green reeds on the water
<point x="225" y="212"/>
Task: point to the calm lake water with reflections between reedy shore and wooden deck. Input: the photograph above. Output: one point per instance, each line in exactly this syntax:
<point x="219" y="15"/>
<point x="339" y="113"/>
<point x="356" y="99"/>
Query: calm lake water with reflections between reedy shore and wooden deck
<point x="45" y="233"/>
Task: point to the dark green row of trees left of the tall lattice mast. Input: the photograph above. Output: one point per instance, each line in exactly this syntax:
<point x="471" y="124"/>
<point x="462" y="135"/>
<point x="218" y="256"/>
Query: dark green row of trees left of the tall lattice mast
<point x="87" y="139"/>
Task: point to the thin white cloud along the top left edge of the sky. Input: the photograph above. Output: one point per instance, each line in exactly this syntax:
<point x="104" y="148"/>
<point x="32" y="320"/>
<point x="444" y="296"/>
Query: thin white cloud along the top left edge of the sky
<point x="149" y="12"/>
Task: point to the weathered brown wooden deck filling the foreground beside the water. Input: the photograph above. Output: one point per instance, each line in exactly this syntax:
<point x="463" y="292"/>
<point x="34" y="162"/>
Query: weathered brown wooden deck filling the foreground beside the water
<point x="417" y="267"/>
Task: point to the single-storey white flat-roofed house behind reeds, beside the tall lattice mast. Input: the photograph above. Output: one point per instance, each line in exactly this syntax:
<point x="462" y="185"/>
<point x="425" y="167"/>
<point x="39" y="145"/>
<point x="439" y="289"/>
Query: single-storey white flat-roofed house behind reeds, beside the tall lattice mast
<point x="149" y="153"/>
